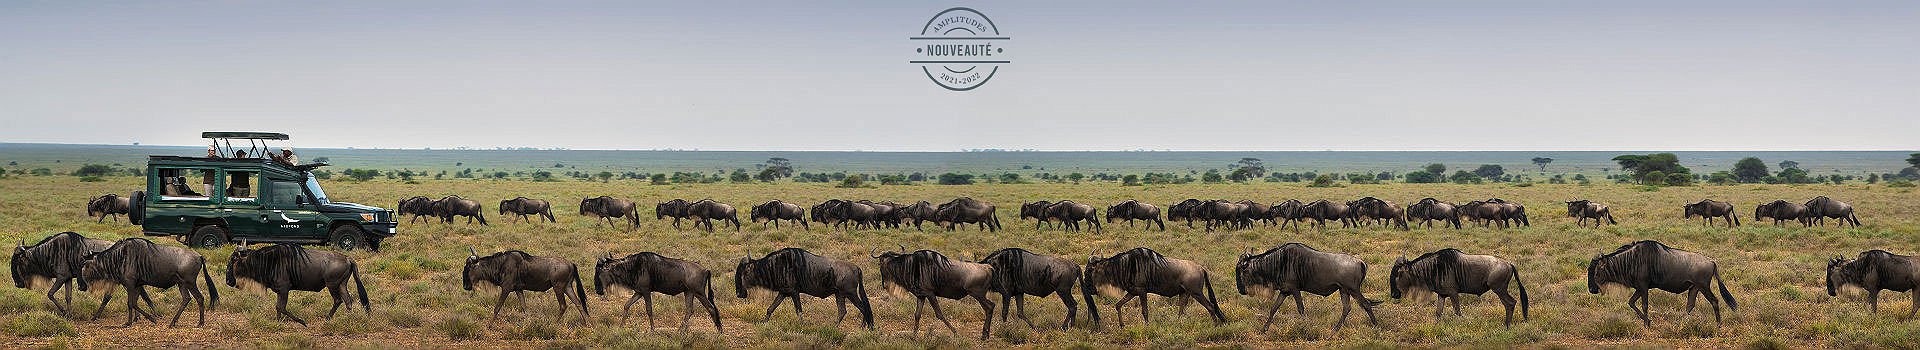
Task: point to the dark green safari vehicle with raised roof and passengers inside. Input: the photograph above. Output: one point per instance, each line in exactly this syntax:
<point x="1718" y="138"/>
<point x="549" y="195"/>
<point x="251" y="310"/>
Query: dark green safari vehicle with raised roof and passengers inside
<point x="252" y="195"/>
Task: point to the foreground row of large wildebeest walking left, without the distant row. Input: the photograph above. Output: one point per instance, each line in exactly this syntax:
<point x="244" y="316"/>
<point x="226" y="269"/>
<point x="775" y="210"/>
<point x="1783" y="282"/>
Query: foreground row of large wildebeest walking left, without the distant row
<point x="924" y="276"/>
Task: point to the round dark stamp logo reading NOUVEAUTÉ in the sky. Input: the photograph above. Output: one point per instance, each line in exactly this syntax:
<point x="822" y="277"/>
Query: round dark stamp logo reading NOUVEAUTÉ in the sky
<point x="961" y="49"/>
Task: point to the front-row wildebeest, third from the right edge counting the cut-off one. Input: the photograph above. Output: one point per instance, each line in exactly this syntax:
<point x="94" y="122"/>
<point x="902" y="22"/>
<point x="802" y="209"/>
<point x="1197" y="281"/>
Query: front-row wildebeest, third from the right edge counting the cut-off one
<point x="1449" y="274"/>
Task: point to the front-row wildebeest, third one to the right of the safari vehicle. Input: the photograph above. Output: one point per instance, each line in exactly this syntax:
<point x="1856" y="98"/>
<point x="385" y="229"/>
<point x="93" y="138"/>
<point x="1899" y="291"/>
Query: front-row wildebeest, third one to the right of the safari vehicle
<point x="794" y="272"/>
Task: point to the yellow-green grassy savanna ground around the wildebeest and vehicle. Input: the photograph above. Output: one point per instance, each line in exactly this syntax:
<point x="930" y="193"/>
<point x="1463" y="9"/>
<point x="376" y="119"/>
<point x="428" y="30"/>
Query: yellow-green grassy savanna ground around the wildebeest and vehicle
<point x="418" y="299"/>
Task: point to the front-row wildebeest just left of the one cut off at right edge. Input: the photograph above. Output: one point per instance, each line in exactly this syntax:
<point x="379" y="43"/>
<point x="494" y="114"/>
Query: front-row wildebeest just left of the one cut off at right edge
<point x="1648" y="264"/>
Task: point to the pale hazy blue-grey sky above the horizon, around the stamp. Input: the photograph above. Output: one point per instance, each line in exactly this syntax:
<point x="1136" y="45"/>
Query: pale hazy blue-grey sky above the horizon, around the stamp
<point x="1084" y="76"/>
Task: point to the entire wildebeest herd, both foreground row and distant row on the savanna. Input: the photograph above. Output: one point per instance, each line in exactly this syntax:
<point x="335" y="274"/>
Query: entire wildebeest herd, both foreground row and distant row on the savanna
<point x="928" y="276"/>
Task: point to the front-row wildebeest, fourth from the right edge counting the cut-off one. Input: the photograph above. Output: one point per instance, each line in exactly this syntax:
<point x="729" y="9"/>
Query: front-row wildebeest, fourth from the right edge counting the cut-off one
<point x="1295" y="268"/>
